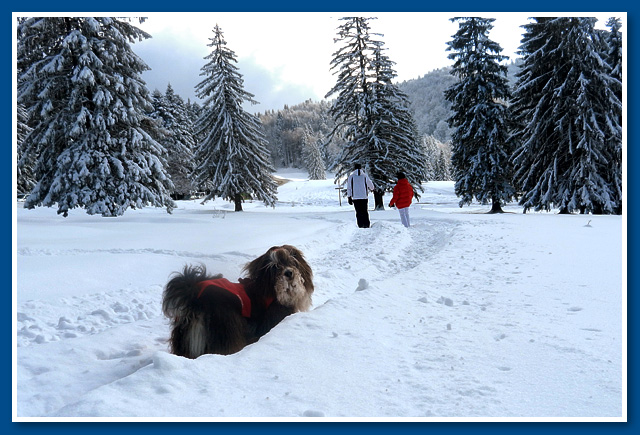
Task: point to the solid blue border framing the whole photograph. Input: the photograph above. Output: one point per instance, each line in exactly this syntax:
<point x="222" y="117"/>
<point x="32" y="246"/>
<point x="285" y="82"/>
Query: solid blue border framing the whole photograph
<point x="372" y="428"/>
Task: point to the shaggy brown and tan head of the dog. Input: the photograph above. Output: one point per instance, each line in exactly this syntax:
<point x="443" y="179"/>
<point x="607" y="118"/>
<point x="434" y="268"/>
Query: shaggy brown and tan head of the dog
<point x="283" y="270"/>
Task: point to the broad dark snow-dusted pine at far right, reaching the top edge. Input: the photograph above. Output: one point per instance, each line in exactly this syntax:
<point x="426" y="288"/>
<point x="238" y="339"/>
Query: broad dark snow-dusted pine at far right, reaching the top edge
<point x="566" y="115"/>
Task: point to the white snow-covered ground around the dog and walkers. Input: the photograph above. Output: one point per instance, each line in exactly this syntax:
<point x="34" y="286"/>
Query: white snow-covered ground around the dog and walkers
<point x="463" y="315"/>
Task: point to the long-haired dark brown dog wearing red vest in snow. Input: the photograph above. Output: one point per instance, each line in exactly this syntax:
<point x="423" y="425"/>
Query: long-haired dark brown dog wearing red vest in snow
<point x="212" y="315"/>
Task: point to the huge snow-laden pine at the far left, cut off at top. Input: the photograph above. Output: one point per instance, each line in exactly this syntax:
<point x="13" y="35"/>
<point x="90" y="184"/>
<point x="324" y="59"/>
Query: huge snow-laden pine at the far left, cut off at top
<point x="81" y="85"/>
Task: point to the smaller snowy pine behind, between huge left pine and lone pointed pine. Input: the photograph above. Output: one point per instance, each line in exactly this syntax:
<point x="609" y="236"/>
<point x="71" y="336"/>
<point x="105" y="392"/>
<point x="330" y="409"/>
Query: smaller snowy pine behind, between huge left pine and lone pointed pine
<point x="179" y="143"/>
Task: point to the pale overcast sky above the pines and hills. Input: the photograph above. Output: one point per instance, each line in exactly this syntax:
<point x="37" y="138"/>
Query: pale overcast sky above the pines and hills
<point x="284" y="57"/>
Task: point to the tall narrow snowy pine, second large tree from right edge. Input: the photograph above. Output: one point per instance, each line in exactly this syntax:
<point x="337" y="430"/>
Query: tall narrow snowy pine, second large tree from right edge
<point x="481" y="149"/>
